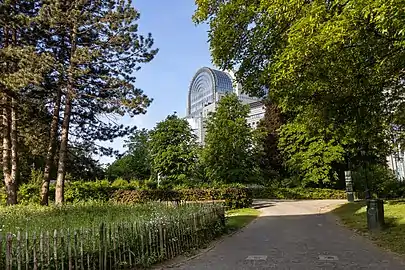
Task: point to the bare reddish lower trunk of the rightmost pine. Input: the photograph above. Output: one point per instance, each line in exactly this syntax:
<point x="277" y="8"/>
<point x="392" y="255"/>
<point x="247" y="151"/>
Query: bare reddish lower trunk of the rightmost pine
<point x="60" y="180"/>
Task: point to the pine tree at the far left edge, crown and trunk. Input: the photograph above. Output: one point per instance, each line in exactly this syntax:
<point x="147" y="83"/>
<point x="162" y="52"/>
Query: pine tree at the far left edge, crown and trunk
<point x="21" y="67"/>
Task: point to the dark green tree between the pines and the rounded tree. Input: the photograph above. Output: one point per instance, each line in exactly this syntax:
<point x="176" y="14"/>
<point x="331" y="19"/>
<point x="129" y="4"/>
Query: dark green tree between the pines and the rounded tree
<point x="135" y="164"/>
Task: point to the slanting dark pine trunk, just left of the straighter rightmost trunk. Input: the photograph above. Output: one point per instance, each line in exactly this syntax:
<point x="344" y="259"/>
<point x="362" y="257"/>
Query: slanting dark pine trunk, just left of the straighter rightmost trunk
<point x="50" y="155"/>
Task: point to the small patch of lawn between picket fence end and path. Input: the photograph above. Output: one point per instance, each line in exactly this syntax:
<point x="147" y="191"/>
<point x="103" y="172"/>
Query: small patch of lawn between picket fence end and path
<point x="238" y="218"/>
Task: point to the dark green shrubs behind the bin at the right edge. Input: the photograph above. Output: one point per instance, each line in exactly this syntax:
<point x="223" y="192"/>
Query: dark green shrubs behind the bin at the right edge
<point x="380" y="181"/>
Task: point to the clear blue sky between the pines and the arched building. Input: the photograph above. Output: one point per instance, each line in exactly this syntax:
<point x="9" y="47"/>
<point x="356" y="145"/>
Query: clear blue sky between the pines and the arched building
<point x="183" y="49"/>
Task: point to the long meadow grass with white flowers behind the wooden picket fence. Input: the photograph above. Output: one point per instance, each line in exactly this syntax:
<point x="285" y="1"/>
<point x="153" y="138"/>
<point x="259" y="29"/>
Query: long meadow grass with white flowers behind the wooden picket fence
<point x="33" y="218"/>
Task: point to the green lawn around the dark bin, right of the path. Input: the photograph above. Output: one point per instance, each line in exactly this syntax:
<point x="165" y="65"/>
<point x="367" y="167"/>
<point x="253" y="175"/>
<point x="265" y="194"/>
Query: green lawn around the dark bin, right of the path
<point x="391" y="238"/>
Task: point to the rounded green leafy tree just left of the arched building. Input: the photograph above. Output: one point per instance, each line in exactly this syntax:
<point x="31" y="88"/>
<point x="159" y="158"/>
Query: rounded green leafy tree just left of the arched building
<point x="173" y="149"/>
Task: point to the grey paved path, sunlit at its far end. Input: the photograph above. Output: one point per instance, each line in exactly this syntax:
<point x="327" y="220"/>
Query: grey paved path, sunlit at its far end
<point x="292" y="235"/>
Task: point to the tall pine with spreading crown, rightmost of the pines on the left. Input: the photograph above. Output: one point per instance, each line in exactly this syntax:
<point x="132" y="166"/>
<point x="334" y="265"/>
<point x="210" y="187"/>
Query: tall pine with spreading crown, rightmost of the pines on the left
<point x="97" y="50"/>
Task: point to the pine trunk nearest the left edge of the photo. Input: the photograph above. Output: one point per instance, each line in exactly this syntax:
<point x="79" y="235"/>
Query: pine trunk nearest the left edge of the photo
<point x="11" y="188"/>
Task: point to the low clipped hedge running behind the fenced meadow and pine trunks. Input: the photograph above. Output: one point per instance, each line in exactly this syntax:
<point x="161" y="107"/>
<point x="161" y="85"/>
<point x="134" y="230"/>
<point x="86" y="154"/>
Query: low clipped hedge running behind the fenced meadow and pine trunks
<point x="234" y="197"/>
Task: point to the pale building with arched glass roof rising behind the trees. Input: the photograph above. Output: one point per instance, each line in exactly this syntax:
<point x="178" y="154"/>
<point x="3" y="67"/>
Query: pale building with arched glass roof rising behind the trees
<point x="207" y="87"/>
